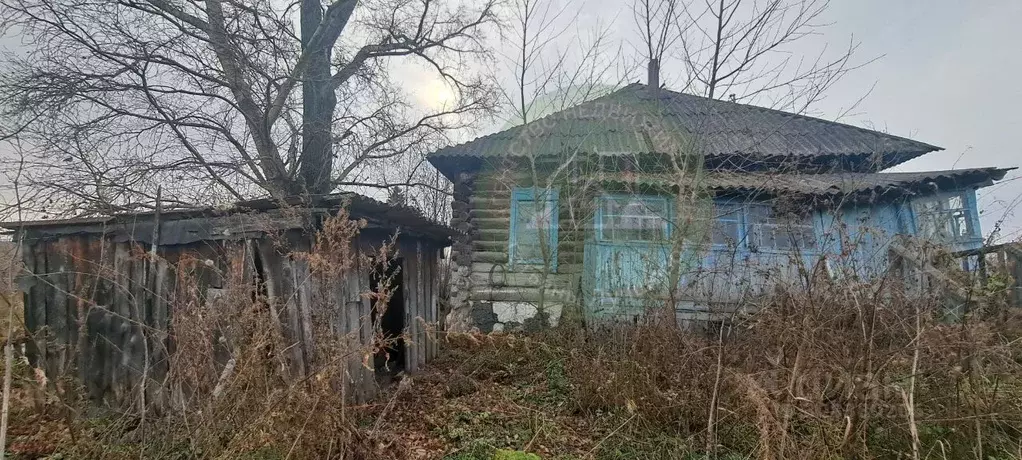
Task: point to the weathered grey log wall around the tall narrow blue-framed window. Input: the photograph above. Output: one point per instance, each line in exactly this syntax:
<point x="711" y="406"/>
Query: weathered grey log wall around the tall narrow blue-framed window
<point x="489" y="293"/>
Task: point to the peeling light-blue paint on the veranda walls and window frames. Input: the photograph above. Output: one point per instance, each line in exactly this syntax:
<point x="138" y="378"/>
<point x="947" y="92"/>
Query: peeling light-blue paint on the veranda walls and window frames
<point x="856" y="237"/>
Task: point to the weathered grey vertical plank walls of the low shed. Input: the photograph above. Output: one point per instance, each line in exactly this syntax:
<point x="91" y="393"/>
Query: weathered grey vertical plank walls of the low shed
<point x="128" y="303"/>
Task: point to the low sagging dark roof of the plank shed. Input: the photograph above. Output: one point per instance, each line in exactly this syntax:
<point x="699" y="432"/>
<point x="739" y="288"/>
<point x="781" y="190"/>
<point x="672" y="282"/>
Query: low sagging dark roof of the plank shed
<point x="248" y="217"/>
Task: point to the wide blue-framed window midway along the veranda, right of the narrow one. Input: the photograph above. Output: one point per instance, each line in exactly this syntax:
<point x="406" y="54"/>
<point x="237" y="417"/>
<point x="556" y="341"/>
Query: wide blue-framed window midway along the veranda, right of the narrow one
<point x="770" y="232"/>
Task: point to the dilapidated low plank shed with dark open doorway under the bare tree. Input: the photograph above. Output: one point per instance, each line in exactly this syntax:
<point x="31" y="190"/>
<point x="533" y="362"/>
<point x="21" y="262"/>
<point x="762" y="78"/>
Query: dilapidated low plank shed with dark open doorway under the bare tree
<point x="102" y="294"/>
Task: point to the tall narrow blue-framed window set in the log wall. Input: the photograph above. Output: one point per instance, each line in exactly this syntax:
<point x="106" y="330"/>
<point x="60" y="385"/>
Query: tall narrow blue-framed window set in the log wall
<point x="534" y="226"/>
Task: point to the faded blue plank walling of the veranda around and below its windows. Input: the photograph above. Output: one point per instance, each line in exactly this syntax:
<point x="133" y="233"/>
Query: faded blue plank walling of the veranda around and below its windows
<point x="854" y="240"/>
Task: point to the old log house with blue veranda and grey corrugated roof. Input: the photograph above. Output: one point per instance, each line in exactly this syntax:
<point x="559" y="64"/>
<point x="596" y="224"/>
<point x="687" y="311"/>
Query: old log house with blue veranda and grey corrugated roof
<point x="647" y="194"/>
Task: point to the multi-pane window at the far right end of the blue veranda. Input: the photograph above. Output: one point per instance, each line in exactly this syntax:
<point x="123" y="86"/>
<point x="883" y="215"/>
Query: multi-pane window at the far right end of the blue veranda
<point x="944" y="218"/>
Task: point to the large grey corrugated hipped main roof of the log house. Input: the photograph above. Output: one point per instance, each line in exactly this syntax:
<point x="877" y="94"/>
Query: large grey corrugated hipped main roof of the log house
<point x="624" y="121"/>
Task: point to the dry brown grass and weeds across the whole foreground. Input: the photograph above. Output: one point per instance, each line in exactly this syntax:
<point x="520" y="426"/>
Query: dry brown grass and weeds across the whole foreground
<point x="837" y="372"/>
